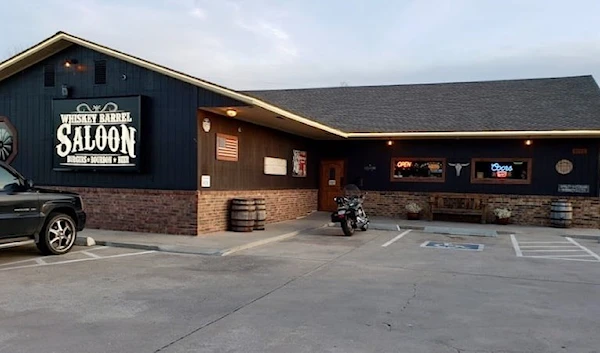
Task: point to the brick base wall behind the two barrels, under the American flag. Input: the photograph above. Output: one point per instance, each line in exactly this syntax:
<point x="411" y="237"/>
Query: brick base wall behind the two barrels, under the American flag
<point x="213" y="206"/>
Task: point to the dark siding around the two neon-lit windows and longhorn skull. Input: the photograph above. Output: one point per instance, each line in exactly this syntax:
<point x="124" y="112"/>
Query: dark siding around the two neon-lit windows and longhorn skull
<point x="544" y="155"/>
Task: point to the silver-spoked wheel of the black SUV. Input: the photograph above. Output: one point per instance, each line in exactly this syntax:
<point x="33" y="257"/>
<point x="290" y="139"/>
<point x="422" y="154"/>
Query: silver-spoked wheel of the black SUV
<point x="58" y="235"/>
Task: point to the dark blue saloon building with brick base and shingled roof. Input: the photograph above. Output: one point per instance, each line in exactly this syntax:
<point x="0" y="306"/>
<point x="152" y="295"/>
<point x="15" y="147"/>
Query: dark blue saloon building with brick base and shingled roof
<point x="153" y="149"/>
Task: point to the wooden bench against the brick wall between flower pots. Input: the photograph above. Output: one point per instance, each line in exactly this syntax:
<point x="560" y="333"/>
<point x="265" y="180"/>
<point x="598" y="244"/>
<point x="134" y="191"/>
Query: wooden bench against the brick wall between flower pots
<point x="458" y="205"/>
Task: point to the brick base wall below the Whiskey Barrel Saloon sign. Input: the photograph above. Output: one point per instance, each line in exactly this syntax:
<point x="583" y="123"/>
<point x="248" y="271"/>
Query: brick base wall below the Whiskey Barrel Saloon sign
<point x="140" y="210"/>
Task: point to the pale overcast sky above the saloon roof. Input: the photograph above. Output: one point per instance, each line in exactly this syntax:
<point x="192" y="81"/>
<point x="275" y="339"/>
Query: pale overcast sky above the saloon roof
<point x="259" y="44"/>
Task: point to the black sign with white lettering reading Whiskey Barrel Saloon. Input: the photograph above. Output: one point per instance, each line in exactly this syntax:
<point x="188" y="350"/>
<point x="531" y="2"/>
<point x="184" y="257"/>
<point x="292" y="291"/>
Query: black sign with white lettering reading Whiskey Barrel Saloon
<point x="97" y="134"/>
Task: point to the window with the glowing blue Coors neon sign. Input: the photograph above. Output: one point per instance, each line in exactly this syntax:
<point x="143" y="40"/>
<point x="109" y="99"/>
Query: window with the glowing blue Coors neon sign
<point x="501" y="171"/>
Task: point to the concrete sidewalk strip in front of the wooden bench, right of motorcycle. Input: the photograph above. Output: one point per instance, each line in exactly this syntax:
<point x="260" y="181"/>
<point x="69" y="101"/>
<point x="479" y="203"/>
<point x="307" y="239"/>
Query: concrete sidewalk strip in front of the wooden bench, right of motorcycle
<point x="385" y="223"/>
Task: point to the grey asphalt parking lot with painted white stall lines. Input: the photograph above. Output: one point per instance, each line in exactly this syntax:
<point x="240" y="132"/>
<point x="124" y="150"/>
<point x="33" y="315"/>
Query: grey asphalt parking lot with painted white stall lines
<point x="377" y="291"/>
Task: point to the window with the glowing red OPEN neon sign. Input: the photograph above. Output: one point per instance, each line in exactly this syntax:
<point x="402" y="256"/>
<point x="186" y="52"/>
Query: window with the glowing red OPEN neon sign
<point x="418" y="169"/>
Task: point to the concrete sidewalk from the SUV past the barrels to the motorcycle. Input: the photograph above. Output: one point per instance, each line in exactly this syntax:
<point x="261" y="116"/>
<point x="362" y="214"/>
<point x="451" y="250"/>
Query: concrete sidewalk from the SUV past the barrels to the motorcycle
<point x="215" y="244"/>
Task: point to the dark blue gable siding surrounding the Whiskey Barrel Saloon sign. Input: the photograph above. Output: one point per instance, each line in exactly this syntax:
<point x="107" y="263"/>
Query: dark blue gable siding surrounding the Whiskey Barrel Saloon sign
<point x="168" y="136"/>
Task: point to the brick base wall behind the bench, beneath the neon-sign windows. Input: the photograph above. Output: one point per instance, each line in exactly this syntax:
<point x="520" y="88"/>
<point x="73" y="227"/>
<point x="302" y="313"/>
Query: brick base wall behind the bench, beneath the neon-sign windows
<point x="526" y="209"/>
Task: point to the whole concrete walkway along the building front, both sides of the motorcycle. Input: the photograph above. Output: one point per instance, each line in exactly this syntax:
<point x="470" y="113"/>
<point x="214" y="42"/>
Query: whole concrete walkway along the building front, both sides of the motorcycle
<point x="226" y="242"/>
